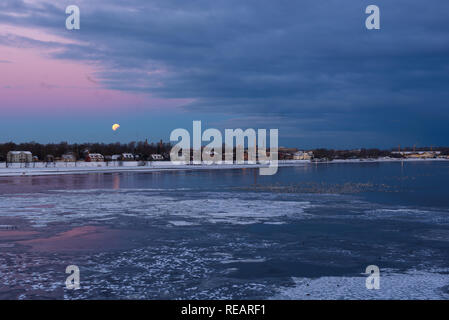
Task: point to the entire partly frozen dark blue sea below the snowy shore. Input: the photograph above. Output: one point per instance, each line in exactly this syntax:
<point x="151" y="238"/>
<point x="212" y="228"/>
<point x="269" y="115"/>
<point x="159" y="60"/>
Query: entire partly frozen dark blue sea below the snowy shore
<point x="305" y="233"/>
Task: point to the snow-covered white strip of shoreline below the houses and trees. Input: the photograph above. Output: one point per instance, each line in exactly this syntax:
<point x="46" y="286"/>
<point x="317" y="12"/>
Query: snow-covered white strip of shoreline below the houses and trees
<point x="93" y="167"/>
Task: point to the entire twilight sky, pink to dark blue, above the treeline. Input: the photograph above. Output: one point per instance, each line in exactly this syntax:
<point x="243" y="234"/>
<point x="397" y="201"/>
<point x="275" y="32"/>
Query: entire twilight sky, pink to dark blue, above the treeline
<point x="308" y="68"/>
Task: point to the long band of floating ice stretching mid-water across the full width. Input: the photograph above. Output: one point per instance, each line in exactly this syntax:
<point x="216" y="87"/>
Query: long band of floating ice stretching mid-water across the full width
<point x="194" y="207"/>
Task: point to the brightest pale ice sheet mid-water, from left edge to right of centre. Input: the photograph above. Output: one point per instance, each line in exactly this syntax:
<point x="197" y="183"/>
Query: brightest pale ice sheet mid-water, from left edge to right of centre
<point x="200" y="207"/>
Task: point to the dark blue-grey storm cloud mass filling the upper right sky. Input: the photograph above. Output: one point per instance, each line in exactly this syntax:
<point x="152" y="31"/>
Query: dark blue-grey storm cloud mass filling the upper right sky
<point x="312" y="63"/>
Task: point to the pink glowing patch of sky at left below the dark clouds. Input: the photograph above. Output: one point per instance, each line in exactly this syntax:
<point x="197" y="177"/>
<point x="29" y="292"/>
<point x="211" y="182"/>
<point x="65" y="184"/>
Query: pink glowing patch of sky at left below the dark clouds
<point x="33" y="82"/>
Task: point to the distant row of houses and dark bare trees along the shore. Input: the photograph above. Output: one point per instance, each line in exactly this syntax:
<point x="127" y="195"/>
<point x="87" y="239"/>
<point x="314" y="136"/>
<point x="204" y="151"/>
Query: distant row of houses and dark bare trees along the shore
<point x="144" y="151"/>
